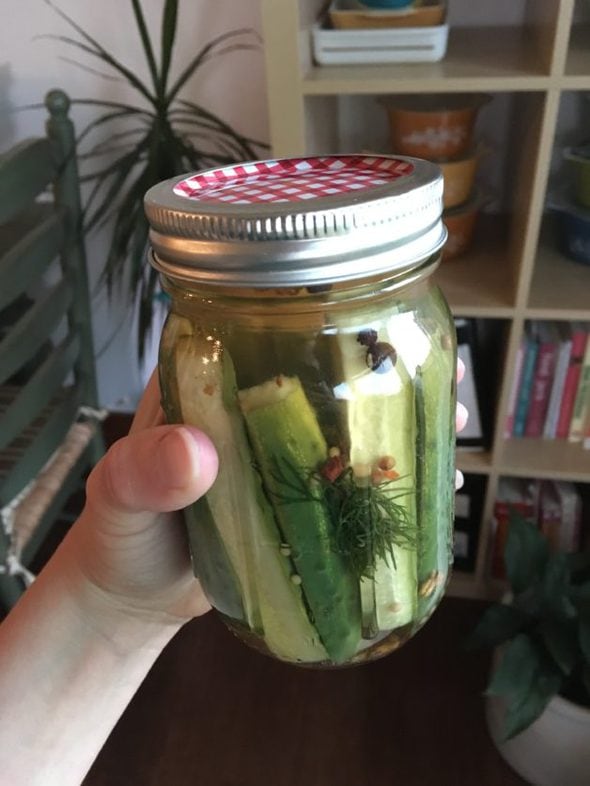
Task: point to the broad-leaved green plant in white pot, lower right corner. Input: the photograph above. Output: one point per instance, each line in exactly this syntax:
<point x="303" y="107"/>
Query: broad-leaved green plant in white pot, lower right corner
<point x="538" y="697"/>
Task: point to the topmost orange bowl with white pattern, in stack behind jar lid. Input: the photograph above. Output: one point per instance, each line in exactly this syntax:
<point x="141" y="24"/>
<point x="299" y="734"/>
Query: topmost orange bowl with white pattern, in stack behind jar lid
<point x="433" y="126"/>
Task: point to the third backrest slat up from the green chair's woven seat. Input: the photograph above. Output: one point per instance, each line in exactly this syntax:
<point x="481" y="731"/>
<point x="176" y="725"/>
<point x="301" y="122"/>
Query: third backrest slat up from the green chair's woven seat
<point x="33" y="329"/>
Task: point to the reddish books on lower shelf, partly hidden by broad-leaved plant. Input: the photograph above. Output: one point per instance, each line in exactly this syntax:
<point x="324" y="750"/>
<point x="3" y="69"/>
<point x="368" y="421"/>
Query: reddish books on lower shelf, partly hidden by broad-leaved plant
<point x="555" y="507"/>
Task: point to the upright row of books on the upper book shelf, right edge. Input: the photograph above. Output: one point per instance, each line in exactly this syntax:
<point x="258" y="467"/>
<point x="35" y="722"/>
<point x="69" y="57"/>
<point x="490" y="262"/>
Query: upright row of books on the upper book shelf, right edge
<point x="550" y="395"/>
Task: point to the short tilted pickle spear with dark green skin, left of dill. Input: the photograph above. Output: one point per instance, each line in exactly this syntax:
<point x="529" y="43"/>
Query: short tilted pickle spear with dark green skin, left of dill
<point x="289" y="446"/>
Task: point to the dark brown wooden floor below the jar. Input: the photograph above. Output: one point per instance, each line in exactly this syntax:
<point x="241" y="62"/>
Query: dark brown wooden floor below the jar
<point x="214" y="713"/>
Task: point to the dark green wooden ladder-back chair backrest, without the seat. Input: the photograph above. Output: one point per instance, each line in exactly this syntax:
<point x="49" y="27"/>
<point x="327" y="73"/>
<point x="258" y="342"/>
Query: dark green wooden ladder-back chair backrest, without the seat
<point x="47" y="366"/>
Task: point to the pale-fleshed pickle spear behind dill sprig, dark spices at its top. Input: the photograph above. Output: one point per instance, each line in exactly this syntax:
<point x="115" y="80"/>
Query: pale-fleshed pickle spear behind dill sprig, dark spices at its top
<point x="381" y="428"/>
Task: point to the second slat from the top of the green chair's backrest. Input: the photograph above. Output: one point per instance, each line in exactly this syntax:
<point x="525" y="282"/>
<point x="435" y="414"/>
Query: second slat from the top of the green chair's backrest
<point x="28" y="257"/>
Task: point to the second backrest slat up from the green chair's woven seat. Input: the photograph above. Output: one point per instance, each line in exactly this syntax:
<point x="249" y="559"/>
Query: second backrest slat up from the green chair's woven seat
<point x="39" y="390"/>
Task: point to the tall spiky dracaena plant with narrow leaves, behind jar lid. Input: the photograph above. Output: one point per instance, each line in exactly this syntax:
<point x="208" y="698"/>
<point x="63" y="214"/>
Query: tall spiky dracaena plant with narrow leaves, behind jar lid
<point x="162" y="135"/>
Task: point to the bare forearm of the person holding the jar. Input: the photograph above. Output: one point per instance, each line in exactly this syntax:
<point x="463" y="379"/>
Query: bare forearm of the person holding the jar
<point x="67" y="672"/>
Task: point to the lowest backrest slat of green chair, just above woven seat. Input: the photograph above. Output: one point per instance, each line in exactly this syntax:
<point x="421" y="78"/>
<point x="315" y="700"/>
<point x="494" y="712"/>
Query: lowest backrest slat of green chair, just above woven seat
<point x="40" y="447"/>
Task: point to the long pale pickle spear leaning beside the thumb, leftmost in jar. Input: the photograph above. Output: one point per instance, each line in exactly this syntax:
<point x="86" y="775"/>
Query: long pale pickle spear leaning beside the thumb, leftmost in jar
<point x="241" y="515"/>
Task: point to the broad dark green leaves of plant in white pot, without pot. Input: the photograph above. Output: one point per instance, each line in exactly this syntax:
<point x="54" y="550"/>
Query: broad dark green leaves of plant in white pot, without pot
<point x="542" y="630"/>
